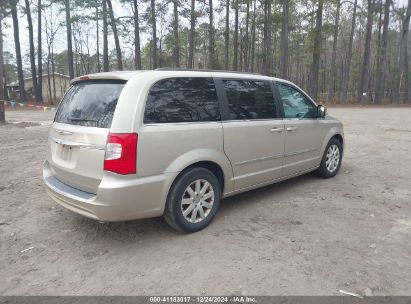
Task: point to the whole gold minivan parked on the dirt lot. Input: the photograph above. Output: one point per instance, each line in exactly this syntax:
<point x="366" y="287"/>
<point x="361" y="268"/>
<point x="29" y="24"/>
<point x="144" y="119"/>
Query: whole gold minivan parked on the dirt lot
<point x="139" y="144"/>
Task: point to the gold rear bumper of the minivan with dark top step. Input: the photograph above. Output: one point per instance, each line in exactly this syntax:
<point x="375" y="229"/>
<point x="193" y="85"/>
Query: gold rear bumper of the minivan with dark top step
<point x="118" y="198"/>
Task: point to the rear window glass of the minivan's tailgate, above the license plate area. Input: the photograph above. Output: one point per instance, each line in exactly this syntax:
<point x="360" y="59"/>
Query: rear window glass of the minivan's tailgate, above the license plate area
<point x="90" y="103"/>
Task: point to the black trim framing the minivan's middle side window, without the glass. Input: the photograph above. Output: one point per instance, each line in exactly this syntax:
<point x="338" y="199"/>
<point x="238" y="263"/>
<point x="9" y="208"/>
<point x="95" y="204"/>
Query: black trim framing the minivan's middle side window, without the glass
<point x="225" y="112"/>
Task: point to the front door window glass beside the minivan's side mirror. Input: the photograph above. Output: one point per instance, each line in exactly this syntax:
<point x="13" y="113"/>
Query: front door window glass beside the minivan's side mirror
<point x="295" y="104"/>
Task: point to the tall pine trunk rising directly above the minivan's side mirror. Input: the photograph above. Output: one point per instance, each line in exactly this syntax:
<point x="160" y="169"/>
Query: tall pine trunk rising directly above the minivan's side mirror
<point x="315" y="67"/>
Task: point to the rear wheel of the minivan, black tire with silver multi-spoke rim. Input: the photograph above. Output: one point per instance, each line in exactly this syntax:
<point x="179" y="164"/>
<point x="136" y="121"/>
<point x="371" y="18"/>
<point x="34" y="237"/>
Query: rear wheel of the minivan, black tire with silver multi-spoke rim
<point x="183" y="207"/>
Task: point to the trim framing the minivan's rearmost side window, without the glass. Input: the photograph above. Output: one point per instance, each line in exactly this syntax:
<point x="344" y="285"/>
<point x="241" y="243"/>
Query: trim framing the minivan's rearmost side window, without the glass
<point x="182" y="122"/>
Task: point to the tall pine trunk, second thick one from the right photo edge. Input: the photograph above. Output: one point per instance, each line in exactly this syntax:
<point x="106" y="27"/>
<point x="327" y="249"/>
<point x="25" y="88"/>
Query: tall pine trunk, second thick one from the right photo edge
<point x="382" y="60"/>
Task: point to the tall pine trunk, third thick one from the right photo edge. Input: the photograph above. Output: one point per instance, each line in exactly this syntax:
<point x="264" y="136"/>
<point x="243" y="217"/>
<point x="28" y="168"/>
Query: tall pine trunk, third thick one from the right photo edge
<point x="363" y="85"/>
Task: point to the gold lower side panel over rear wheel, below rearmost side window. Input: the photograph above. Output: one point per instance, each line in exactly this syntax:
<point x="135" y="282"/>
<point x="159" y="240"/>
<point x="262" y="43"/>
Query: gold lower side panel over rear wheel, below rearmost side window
<point x="171" y="148"/>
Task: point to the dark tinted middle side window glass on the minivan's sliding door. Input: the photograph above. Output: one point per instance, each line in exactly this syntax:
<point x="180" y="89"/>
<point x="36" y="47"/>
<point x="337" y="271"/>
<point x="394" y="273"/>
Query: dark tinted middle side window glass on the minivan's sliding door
<point x="250" y="99"/>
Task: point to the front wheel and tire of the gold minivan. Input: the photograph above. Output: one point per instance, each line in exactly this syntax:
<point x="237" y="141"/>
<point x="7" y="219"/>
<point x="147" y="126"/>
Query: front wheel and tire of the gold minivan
<point x="333" y="151"/>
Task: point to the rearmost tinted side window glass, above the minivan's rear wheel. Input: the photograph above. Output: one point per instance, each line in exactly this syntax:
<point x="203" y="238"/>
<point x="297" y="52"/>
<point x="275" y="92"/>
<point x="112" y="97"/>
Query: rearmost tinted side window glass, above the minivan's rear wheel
<point x="182" y="100"/>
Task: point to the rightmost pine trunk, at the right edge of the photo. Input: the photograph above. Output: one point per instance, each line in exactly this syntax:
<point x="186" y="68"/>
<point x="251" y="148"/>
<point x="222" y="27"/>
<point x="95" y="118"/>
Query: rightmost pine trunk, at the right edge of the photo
<point x="402" y="58"/>
